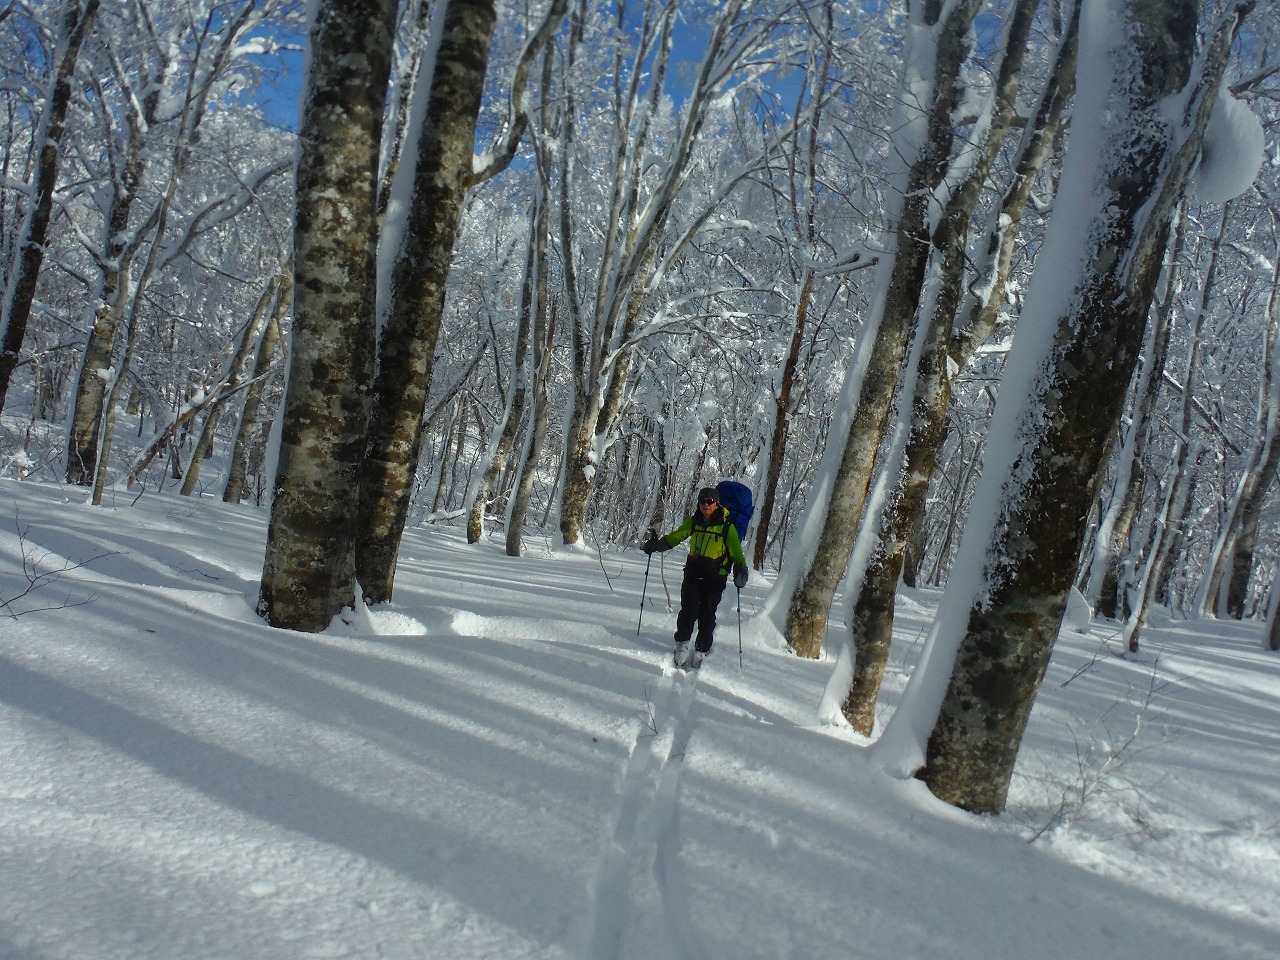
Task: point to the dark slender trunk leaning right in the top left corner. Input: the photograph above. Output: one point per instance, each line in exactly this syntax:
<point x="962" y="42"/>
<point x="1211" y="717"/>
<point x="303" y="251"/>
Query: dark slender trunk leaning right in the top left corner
<point x="20" y="294"/>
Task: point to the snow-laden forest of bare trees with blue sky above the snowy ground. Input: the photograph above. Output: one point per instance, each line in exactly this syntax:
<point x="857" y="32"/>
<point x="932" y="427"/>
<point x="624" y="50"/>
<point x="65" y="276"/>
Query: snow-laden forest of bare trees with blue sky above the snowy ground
<point x="975" y="295"/>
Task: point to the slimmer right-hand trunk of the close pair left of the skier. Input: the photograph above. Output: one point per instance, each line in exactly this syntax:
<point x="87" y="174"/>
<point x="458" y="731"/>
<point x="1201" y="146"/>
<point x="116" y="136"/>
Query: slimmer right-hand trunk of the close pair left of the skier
<point x="415" y="301"/>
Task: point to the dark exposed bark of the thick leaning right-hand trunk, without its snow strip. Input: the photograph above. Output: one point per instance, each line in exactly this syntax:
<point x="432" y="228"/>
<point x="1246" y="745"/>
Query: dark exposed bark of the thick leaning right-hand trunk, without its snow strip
<point x="1066" y="426"/>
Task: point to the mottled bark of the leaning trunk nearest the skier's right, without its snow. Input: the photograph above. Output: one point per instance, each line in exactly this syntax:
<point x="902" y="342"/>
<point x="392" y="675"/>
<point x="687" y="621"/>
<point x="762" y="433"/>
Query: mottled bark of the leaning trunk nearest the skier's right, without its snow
<point x="811" y="604"/>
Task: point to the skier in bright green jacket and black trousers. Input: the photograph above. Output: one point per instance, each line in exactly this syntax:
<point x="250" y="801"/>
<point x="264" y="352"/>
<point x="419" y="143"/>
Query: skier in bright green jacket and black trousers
<point x="714" y="545"/>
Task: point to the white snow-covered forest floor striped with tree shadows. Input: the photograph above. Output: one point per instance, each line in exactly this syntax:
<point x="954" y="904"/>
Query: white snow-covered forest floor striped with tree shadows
<point x="499" y="766"/>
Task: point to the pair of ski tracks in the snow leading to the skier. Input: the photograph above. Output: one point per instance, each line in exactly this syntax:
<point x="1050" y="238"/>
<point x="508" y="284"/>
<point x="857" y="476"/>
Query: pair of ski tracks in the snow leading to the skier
<point x="646" y="840"/>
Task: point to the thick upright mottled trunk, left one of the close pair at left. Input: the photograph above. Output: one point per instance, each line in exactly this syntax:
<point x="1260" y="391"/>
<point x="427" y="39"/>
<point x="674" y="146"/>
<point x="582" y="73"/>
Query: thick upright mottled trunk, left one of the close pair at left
<point x="309" y="574"/>
